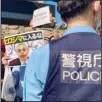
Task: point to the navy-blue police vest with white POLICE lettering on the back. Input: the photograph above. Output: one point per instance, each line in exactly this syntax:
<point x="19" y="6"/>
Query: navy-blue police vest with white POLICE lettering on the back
<point x="75" y="69"/>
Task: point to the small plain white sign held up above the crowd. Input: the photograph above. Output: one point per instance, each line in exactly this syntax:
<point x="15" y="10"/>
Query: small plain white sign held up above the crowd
<point x="41" y="16"/>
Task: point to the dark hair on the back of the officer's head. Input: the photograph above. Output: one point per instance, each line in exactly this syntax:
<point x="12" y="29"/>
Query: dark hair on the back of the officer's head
<point x="71" y="8"/>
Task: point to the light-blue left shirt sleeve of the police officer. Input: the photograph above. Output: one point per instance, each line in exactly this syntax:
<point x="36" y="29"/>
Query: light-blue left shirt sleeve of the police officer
<point x="35" y="74"/>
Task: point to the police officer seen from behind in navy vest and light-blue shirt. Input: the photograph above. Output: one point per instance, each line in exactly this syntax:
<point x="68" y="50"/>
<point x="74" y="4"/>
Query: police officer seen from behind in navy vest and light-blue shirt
<point x="68" y="69"/>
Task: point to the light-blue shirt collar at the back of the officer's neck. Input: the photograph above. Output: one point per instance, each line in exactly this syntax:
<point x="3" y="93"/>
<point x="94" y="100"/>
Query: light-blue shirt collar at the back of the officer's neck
<point x="80" y="29"/>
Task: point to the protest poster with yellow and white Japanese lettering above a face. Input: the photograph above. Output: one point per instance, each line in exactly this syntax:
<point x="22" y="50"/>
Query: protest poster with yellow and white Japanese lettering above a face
<point x="20" y="46"/>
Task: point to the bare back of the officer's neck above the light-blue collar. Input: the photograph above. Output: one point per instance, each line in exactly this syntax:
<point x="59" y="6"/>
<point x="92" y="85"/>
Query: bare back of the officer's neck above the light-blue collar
<point x="80" y="22"/>
